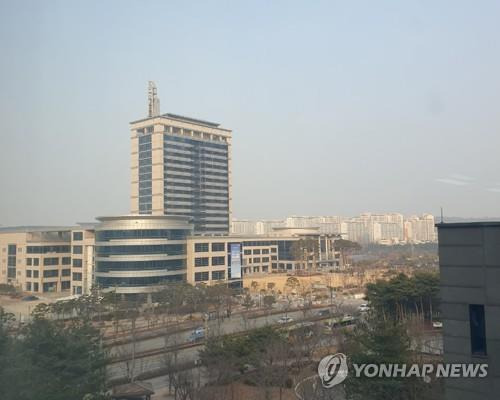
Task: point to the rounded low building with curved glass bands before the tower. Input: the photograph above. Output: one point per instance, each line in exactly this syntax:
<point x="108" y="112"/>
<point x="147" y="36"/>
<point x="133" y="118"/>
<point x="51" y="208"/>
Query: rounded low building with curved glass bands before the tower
<point x="135" y="253"/>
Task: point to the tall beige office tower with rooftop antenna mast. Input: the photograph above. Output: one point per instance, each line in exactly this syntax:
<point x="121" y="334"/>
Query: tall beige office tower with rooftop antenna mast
<point x="181" y="166"/>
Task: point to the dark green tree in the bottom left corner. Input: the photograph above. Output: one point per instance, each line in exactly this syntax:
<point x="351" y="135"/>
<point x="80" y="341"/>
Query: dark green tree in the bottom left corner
<point x="52" y="360"/>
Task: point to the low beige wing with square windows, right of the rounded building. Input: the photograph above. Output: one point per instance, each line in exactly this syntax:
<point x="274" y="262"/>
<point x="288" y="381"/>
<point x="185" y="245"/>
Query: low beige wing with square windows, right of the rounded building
<point x="210" y="259"/>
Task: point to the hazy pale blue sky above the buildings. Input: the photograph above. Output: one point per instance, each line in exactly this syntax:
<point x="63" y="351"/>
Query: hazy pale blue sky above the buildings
<point x="337" y="107"/>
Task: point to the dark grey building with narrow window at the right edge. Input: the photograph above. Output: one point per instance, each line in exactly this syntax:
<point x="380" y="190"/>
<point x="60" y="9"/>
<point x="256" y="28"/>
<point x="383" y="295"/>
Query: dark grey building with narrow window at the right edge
<point x="469" y="258"/>
